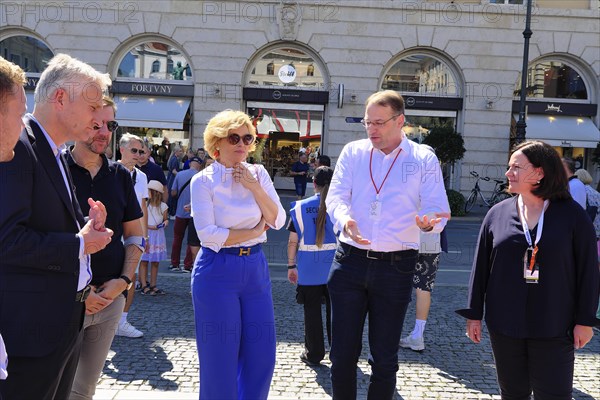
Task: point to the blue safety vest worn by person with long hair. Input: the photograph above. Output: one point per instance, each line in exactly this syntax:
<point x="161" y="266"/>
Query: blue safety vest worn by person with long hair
<point x="313" y="262"/>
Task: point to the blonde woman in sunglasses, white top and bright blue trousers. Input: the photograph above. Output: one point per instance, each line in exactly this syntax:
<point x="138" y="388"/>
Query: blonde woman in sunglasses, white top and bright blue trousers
<point x="233" y="204"/>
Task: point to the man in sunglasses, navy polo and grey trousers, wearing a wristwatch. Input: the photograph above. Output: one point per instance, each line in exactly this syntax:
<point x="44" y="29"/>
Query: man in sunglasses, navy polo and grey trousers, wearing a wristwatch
<point x="114" y="267"/>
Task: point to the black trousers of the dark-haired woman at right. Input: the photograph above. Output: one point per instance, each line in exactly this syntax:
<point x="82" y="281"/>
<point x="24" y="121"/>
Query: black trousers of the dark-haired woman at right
<point x="544" y="366"/>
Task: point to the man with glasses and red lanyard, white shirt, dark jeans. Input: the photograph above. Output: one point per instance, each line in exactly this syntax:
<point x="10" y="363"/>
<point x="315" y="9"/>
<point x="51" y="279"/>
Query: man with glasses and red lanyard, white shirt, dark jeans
<point x="385" y="189"/>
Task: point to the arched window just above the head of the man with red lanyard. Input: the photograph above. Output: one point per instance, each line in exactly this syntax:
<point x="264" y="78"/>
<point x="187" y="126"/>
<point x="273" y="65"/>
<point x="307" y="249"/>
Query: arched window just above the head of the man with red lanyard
<point x="421" y="74"/>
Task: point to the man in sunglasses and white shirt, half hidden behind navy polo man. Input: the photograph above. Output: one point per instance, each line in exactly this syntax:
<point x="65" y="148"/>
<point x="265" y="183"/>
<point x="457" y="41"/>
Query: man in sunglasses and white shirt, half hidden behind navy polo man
<point x="131" y="148"/>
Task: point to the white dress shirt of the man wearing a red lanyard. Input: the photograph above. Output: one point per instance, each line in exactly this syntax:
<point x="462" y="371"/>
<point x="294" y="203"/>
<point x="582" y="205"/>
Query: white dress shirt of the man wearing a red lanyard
<point x="413" y="187"/>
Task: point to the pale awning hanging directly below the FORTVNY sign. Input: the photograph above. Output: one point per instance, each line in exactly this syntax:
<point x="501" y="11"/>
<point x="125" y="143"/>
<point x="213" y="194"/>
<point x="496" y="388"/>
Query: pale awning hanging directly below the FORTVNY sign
<point x="151" y="112"/>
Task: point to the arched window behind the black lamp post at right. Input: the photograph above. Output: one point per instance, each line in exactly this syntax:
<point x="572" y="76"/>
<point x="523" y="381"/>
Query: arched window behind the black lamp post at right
<point x="554" y="79"/>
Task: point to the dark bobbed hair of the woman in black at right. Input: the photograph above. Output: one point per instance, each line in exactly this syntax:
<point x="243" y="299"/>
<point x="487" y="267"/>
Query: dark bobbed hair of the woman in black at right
<point x="554" y="185"/>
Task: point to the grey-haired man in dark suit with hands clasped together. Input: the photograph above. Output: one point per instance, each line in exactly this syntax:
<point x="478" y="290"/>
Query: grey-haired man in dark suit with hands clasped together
<point x="44" y="240"/>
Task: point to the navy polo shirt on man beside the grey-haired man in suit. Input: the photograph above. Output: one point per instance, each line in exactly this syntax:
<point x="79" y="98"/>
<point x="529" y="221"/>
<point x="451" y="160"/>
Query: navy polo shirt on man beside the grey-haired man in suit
<point x="113" y="186"/>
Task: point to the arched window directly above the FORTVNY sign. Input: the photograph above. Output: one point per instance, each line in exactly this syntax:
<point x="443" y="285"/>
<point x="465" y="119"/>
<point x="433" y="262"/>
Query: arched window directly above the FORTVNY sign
<point x="145" y="60"/>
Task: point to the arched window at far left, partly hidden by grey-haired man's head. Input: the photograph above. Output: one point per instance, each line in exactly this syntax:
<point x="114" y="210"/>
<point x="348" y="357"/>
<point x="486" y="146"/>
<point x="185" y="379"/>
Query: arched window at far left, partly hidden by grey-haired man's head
<point x="27" y="52"/>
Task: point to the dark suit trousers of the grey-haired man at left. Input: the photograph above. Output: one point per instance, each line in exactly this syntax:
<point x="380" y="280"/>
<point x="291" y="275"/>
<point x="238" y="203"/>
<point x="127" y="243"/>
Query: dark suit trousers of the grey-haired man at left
<point x="48" y="377"/>
